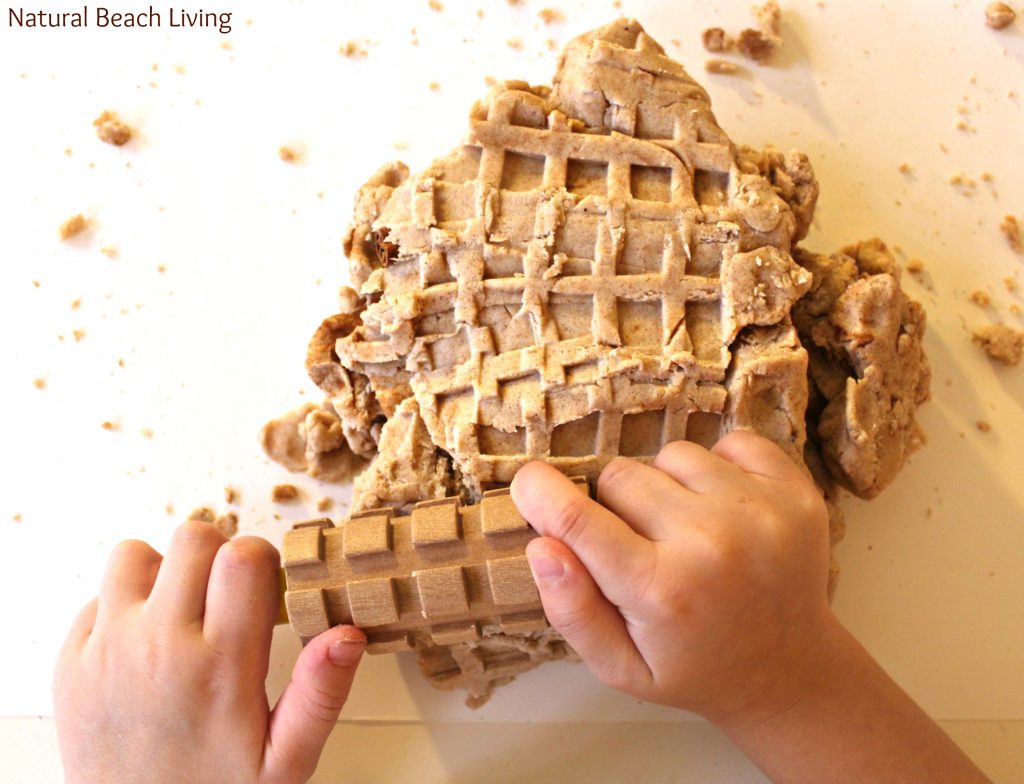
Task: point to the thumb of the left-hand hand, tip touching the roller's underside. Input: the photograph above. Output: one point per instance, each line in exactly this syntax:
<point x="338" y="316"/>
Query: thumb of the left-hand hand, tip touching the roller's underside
<point x="309" y="708"/>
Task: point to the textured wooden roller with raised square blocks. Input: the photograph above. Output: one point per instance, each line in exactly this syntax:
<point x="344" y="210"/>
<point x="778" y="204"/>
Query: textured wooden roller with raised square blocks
<point x="438" y="576"/>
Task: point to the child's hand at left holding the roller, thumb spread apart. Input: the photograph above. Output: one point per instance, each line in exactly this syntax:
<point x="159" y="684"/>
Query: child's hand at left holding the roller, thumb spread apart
<point x="162" y="678"/>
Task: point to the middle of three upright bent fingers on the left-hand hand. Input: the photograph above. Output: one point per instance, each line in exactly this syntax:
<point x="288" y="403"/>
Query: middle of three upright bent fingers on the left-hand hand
<point x="180" y="594"/>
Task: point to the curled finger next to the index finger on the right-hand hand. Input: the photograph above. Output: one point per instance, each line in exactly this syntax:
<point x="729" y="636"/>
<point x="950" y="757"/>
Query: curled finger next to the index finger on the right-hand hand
<point x="649" y="500"/>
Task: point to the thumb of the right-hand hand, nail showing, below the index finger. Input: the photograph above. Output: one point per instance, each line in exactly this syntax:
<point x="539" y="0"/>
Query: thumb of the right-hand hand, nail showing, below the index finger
<point x="589" y="623"/>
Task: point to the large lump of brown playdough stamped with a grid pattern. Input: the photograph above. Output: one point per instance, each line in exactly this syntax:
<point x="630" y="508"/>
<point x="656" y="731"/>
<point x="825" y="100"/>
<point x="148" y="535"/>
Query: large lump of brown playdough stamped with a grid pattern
<point x="595" y="272"/>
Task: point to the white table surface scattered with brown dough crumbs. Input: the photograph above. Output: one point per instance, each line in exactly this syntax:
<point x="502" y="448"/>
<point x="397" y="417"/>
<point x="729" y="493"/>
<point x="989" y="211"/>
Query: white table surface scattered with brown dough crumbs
<point x="212" y="346"/>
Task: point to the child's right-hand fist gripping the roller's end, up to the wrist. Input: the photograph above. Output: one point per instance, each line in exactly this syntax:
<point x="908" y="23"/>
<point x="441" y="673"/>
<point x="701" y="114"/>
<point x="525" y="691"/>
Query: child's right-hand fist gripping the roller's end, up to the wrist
<point x="698" y="583"/>
